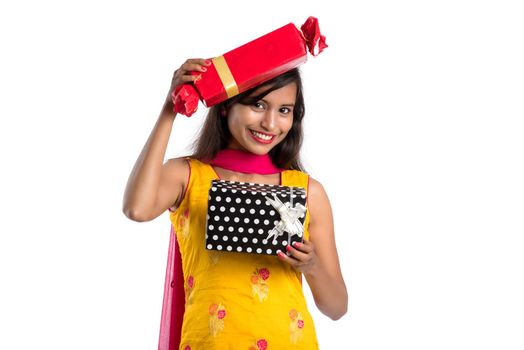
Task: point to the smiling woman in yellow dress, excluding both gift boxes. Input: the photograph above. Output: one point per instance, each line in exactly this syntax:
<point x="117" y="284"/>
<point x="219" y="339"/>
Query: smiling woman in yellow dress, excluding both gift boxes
<point x="239" y="300"/>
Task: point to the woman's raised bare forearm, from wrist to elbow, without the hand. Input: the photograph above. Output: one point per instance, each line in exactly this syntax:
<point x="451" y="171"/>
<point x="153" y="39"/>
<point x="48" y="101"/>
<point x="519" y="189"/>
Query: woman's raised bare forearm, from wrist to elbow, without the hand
<point x="142" y="185"/>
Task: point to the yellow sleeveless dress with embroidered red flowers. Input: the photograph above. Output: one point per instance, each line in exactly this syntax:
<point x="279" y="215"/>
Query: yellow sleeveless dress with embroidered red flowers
<point x="237" y="300"/>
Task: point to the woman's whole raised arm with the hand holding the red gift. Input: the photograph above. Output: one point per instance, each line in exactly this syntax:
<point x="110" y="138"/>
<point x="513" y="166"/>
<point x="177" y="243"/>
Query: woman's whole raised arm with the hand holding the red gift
<point x="153" y="187"/>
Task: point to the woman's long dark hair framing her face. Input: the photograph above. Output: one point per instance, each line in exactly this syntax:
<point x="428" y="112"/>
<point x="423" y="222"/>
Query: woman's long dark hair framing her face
<point x="215" y="135"/>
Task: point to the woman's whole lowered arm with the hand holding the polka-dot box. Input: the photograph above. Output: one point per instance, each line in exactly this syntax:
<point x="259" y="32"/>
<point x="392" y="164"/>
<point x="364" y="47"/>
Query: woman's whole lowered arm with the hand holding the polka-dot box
<point x="317" y="258"/>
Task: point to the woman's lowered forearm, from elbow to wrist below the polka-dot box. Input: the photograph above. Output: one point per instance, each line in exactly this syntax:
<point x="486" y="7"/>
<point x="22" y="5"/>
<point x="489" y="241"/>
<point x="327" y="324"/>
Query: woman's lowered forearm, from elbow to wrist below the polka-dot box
<point x="330" y="293"/>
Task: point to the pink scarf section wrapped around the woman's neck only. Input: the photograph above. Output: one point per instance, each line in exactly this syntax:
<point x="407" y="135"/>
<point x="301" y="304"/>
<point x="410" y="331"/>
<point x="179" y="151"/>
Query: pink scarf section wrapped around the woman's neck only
<point x="244" y="162"/>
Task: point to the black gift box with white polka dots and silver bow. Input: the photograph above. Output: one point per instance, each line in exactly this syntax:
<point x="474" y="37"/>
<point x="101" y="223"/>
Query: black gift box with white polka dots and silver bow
<point x="254" y="218"/>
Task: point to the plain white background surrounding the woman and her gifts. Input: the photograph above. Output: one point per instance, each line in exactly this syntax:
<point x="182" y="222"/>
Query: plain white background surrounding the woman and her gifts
<point x="413" y="126"/>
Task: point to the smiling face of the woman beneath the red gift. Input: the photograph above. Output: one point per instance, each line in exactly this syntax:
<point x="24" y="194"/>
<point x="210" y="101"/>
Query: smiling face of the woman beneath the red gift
<point x="259" y="127"/>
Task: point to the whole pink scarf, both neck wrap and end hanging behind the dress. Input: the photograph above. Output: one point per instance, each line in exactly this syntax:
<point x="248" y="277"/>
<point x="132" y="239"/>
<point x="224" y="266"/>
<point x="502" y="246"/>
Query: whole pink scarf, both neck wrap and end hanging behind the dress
<point x="173" y="305"/>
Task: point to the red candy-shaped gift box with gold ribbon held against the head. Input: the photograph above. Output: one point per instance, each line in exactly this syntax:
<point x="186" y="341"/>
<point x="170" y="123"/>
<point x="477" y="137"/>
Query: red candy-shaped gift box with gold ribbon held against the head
<point x="249" y="65"/>
